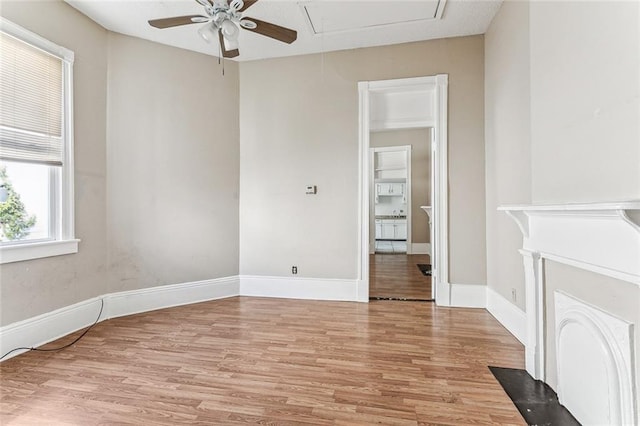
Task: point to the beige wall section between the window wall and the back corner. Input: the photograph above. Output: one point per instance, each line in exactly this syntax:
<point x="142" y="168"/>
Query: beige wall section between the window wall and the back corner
<point x="172" y="165"/>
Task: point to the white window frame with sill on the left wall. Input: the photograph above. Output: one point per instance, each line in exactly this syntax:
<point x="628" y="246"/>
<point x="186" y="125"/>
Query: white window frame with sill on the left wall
<point x="63" y="233"/>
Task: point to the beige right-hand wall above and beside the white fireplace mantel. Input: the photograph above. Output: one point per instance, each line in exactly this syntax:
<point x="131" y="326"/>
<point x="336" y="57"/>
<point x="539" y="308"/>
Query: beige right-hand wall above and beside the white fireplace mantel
<point x="555" y="131"/>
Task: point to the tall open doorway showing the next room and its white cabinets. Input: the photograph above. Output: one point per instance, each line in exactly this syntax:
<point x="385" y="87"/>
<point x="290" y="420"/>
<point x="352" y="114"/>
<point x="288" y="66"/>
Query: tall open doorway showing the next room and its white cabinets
<point x="400" y="183"/>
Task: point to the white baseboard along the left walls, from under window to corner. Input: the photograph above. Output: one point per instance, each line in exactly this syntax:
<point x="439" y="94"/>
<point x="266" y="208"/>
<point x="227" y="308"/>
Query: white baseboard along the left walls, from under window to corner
<point x="37" y="331"/>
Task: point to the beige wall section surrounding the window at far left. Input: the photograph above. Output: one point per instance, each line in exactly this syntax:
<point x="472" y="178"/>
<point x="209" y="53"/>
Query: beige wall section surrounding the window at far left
<point x="35" y="287"/>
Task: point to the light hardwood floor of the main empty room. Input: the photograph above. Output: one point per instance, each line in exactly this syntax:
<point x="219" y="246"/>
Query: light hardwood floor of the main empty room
<point x="271" y="361"/>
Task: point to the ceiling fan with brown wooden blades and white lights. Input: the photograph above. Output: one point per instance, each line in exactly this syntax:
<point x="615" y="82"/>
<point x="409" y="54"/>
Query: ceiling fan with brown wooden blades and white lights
<point x="224" y="18"/>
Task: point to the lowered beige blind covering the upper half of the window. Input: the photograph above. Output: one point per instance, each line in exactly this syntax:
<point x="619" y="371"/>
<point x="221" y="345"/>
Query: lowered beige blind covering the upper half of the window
<point x="31" y="103"/>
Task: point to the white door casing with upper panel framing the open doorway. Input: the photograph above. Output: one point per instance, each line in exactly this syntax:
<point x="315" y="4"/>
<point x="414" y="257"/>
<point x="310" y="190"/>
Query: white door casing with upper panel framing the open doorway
<point x="406" y="104"/>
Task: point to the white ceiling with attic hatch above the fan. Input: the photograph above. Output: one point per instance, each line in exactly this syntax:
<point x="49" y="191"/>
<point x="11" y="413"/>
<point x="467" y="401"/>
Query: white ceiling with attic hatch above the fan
<point x="322" y="25"/>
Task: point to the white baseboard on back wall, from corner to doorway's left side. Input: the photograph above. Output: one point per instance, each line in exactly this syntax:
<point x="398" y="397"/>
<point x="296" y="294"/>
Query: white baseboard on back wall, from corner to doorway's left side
<point x="299" y="288"/>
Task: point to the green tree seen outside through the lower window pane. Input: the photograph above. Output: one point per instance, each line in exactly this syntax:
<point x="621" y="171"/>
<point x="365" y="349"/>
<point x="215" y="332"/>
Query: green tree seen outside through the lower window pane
<point x="15" y="222"/>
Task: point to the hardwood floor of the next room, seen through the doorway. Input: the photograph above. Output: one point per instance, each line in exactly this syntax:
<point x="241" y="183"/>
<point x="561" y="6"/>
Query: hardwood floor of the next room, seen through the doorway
<point x="398" y="276"/>
